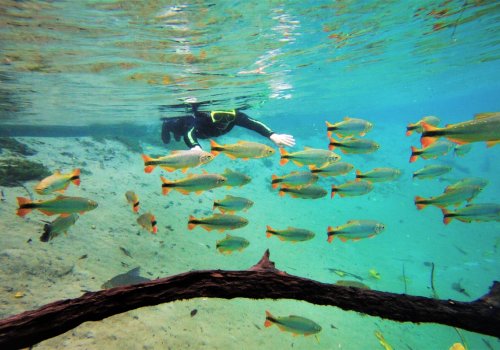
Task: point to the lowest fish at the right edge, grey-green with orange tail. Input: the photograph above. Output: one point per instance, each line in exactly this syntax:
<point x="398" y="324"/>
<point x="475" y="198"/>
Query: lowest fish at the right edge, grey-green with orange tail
<point x="473" y="212"/>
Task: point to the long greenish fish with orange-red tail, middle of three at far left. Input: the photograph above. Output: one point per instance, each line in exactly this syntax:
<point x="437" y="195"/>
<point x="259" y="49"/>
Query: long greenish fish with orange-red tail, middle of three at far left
<point x="60" y="205"/>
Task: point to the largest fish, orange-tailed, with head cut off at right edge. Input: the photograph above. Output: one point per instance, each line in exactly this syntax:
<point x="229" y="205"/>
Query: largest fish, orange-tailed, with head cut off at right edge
<point x="484" y="127"/>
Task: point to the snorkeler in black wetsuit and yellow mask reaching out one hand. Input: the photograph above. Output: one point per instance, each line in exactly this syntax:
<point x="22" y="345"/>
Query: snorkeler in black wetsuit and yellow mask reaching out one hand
<point x="204" y="125"/>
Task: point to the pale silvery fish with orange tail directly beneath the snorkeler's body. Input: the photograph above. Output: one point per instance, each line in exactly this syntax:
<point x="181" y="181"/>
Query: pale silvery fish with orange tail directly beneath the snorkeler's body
<point x="179" y="159"/>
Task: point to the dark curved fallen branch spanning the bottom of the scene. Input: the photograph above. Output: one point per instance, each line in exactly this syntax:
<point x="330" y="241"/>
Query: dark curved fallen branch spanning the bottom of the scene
<point x="262" y="281"/>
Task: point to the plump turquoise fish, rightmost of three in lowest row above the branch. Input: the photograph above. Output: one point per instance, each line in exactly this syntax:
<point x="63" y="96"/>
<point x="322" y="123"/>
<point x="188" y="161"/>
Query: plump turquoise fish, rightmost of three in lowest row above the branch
<point x="355" y="230"/>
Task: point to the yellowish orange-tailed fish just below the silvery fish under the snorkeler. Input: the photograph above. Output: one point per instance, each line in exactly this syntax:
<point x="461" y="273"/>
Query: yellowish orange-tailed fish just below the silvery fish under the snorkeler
<point x="193" y="183"/>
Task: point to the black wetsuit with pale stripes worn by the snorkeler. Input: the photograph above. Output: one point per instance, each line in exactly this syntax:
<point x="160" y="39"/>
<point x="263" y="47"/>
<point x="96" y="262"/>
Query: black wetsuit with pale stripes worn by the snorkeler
<point x="201" y="126"/>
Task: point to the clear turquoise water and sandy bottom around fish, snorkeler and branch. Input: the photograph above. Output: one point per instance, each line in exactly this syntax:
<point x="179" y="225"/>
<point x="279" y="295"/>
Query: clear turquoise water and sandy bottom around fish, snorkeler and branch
<point x="72" y="72"/>
